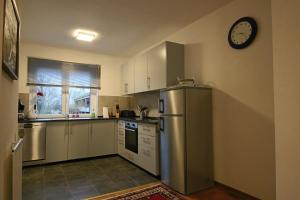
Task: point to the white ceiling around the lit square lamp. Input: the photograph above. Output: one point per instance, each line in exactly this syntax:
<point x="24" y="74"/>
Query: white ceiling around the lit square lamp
<point x="126" y="26"/>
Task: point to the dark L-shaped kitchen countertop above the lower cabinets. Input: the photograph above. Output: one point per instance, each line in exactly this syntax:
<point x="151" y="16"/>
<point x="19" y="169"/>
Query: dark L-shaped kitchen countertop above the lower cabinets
<point x="150" y="120"/>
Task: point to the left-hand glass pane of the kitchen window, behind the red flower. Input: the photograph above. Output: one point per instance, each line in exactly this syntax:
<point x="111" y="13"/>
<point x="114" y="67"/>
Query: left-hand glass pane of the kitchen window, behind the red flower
<point x="48" y="100"/>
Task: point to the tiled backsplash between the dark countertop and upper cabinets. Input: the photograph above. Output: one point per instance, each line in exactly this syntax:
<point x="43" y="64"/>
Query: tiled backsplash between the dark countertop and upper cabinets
<point x="149" y="100"/>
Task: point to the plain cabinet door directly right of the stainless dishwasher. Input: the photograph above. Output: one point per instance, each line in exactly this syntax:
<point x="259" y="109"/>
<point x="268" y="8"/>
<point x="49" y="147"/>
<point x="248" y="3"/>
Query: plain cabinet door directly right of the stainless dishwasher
<point x="57" y="136"/>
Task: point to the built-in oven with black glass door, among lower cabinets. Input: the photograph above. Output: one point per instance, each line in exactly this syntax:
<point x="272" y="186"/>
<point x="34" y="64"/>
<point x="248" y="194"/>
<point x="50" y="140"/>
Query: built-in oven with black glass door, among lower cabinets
<point x="131" y="136"/>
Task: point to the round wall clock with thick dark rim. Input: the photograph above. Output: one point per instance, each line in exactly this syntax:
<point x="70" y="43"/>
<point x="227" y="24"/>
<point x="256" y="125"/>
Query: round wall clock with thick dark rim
<point x="242" y="33"/>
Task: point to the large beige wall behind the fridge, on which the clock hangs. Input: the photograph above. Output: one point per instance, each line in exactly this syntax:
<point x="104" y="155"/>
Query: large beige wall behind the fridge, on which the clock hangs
<point x="243" y="94"/>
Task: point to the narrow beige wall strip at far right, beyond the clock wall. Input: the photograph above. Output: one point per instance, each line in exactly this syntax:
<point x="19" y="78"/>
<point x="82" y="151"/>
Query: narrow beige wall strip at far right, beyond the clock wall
<point x="286" y="49"/>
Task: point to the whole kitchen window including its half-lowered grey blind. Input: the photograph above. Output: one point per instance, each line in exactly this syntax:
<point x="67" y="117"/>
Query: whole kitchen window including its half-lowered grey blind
<point x="60" y="88"/>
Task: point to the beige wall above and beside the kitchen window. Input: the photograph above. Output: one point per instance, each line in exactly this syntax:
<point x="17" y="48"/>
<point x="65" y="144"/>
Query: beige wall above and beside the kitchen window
<point x="110" y="65"/>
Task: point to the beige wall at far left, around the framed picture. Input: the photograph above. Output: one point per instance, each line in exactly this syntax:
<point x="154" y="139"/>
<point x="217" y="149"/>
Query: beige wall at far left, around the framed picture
<point x="8" y="123"/>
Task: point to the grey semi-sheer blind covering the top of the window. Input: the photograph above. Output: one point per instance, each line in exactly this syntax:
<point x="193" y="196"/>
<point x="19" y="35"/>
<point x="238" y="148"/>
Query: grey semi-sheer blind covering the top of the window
<point x="44" y="72"/>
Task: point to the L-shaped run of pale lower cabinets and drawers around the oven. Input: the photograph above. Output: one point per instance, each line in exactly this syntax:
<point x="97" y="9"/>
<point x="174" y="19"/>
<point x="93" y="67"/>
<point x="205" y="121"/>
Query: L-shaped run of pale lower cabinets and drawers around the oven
<point x="82" y="139"/>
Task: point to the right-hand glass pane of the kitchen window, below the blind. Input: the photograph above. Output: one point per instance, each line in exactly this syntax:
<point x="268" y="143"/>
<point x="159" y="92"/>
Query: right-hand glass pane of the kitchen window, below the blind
<point x="79" y="100"/>
